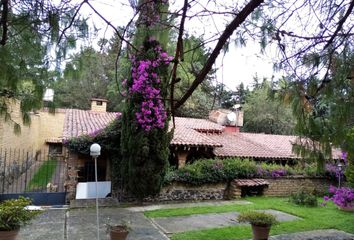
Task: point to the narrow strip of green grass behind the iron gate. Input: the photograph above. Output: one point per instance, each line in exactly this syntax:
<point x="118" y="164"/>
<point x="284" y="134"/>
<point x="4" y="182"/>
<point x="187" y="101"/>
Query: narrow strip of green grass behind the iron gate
<point x="43" y="175"/>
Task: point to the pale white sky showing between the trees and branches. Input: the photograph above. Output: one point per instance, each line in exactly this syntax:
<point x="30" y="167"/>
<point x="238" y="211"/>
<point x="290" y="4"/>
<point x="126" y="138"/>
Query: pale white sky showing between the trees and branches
<point x="236" y="66"/>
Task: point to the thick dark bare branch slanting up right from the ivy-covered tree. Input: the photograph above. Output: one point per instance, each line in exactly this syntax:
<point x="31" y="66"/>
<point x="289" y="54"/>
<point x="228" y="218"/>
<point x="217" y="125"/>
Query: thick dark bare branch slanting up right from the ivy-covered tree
<point x="238" y="20"/>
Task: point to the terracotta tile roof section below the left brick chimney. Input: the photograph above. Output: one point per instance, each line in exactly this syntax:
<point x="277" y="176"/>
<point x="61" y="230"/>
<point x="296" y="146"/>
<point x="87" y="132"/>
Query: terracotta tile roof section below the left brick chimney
<point x="82" y="122"/>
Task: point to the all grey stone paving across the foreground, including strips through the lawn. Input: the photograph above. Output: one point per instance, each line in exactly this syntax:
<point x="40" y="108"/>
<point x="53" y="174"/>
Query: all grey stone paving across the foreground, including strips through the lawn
<point x="77" y="224"/>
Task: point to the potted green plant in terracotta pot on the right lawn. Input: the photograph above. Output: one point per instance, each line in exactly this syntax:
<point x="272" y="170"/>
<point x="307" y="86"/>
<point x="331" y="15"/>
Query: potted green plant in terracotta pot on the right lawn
<point x="261" y="223"/>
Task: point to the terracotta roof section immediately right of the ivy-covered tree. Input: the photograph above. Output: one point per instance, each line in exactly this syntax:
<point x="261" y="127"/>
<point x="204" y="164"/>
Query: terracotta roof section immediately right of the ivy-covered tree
<point x="190" y="137"/>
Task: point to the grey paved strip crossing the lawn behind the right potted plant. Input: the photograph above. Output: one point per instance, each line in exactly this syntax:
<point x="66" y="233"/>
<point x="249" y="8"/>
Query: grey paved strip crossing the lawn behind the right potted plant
<point x="170" y="225"/>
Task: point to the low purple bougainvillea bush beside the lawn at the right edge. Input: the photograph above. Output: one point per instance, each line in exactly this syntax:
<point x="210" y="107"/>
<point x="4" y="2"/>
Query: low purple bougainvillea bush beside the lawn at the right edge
<point x="342" y="197"/>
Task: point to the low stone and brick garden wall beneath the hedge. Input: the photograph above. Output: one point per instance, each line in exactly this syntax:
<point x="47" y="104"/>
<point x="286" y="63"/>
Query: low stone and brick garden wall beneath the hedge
<point x="283" y="186"/>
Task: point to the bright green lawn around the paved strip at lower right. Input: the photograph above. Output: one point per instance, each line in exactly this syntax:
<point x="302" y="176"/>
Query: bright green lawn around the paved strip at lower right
<point x="312" y="218"/>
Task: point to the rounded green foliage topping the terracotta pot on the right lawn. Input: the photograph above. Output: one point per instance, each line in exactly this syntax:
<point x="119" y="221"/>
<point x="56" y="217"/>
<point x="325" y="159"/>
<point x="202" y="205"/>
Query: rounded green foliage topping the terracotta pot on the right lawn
<point x="261" y="219"/>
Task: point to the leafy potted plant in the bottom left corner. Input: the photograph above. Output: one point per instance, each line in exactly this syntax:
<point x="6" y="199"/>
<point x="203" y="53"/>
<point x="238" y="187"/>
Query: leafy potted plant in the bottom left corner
<point x="13" y="214"/>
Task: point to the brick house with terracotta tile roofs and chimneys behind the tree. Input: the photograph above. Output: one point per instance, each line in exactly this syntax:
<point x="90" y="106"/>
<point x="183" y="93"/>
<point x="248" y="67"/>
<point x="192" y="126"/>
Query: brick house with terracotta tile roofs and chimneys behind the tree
<point x="218" y="136"/>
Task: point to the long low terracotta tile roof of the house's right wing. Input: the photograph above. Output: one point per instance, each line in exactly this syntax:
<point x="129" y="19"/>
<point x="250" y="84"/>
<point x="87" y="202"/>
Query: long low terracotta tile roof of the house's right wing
<point x="254" y="145"/>
